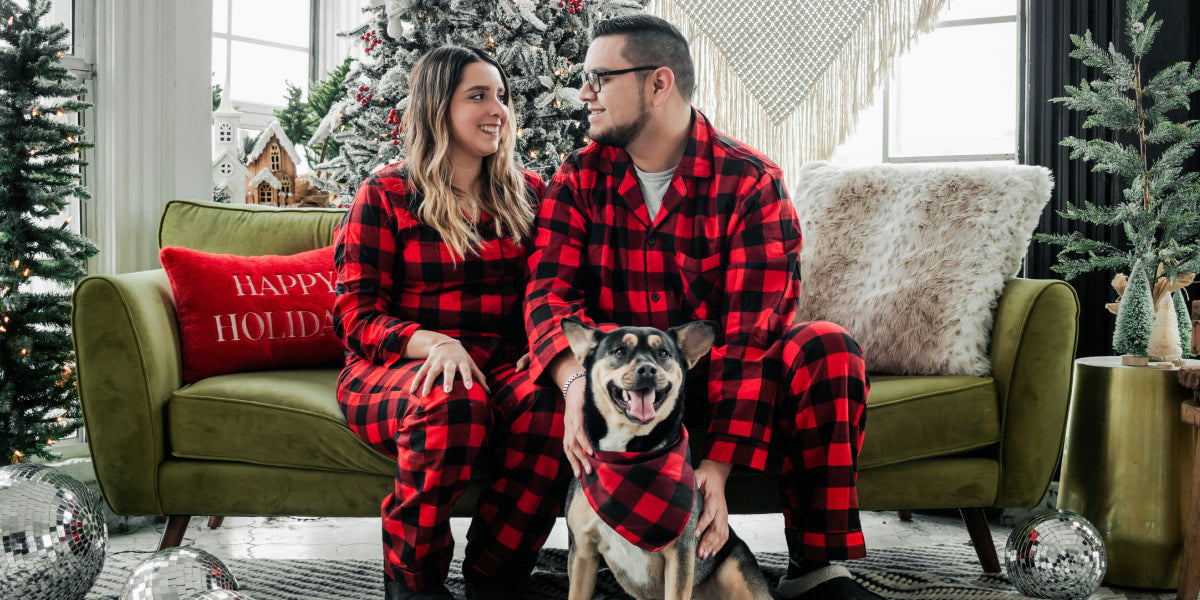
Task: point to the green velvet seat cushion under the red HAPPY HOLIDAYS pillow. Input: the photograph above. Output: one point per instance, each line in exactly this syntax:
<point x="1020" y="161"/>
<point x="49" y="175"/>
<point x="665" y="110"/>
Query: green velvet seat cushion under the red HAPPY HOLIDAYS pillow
<point x="285" y="418"/>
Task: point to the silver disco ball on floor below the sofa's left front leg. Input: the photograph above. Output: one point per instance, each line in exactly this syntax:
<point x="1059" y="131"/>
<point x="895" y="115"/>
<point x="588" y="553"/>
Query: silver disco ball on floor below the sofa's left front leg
<point x="176" y="574"/>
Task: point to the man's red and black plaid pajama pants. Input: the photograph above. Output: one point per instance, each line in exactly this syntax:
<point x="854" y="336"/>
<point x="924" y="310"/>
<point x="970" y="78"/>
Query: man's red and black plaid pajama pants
<point x="817" y="376"/>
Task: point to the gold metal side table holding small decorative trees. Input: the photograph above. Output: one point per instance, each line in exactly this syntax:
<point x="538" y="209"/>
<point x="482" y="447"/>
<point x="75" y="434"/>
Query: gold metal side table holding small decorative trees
<point x="1127" y="467"/>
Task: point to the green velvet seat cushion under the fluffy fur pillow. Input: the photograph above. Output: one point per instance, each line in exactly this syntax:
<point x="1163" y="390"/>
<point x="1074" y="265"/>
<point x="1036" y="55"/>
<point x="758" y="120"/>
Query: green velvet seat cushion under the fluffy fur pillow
<point x="921" y="417"/>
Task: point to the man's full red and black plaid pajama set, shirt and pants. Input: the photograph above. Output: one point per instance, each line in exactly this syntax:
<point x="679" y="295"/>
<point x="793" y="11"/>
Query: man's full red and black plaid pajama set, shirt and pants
<point x="725" y="247"/>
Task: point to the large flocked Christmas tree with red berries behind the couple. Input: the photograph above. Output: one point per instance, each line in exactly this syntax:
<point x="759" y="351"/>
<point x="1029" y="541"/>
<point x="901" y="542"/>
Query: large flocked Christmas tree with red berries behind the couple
<point x="542" y="45"/>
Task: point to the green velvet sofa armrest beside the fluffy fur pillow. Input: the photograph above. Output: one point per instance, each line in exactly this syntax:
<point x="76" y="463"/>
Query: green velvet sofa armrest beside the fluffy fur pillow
<point x="1034" y="349"/>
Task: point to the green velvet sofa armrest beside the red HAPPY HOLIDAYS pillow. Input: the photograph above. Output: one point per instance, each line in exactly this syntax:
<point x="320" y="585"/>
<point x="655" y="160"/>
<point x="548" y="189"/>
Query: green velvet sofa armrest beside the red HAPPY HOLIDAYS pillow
<point x="128" y="358"/>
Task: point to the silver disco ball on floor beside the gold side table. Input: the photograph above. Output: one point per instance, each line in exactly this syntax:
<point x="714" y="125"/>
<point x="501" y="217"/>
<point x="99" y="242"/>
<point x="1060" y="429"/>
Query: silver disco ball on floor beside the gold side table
<point x="1058" y="555"/>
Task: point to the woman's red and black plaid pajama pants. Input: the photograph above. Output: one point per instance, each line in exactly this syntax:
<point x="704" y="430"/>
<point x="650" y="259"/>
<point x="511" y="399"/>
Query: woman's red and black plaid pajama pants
<point x="437" y="440"/>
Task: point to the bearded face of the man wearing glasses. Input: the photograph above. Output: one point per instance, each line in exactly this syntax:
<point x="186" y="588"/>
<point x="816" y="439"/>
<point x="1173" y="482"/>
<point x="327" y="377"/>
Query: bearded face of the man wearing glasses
<point x="619" y="113"/>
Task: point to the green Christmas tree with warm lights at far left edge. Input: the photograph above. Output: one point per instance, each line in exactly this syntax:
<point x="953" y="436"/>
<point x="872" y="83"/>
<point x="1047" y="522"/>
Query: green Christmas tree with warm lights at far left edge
<point x="41" y="259"/>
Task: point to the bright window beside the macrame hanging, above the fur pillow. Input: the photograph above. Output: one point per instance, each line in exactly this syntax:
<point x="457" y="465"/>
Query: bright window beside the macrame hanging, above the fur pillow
<point x="953" y="98"/>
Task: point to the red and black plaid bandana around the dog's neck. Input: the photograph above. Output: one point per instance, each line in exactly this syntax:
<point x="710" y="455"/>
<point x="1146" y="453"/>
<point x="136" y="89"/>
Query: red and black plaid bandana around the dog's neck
<point x="646" y="497"/>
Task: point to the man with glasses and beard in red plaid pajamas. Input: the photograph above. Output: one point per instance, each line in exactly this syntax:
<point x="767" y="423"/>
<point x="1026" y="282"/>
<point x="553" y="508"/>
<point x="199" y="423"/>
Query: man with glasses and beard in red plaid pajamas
<point x="663" y="220"/>
